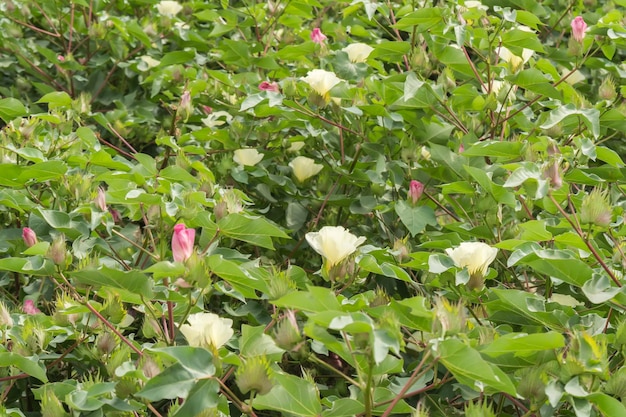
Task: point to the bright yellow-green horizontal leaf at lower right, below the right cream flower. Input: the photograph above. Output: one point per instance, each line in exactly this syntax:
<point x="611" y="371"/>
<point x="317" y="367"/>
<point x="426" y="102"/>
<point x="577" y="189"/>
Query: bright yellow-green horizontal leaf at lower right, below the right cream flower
<point x="522" y="344"/>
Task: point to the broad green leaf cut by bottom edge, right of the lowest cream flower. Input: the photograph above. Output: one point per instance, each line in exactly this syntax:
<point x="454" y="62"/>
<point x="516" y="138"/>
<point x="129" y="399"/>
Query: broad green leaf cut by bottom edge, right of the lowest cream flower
<point x="290" y="395"/>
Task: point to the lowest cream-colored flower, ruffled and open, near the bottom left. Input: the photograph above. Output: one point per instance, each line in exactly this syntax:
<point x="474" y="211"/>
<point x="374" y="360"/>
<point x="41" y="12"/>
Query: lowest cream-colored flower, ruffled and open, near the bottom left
<point x="207" y="330"/>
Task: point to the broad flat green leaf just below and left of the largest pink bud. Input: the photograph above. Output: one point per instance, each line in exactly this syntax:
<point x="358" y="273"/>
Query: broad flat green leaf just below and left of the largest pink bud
<point x="132" y="281"/>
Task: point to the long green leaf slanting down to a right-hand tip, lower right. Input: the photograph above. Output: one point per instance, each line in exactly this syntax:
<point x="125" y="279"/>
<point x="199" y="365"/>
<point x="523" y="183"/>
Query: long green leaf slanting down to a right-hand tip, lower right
<point x="469" y="368"/>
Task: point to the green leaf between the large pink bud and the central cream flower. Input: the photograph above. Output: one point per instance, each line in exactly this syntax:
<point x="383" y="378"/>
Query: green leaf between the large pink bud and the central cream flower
<point x="255" y="230"/>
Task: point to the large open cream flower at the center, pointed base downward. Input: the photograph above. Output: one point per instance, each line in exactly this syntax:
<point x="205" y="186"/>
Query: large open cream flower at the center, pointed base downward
<point x="334" y="243"/>
